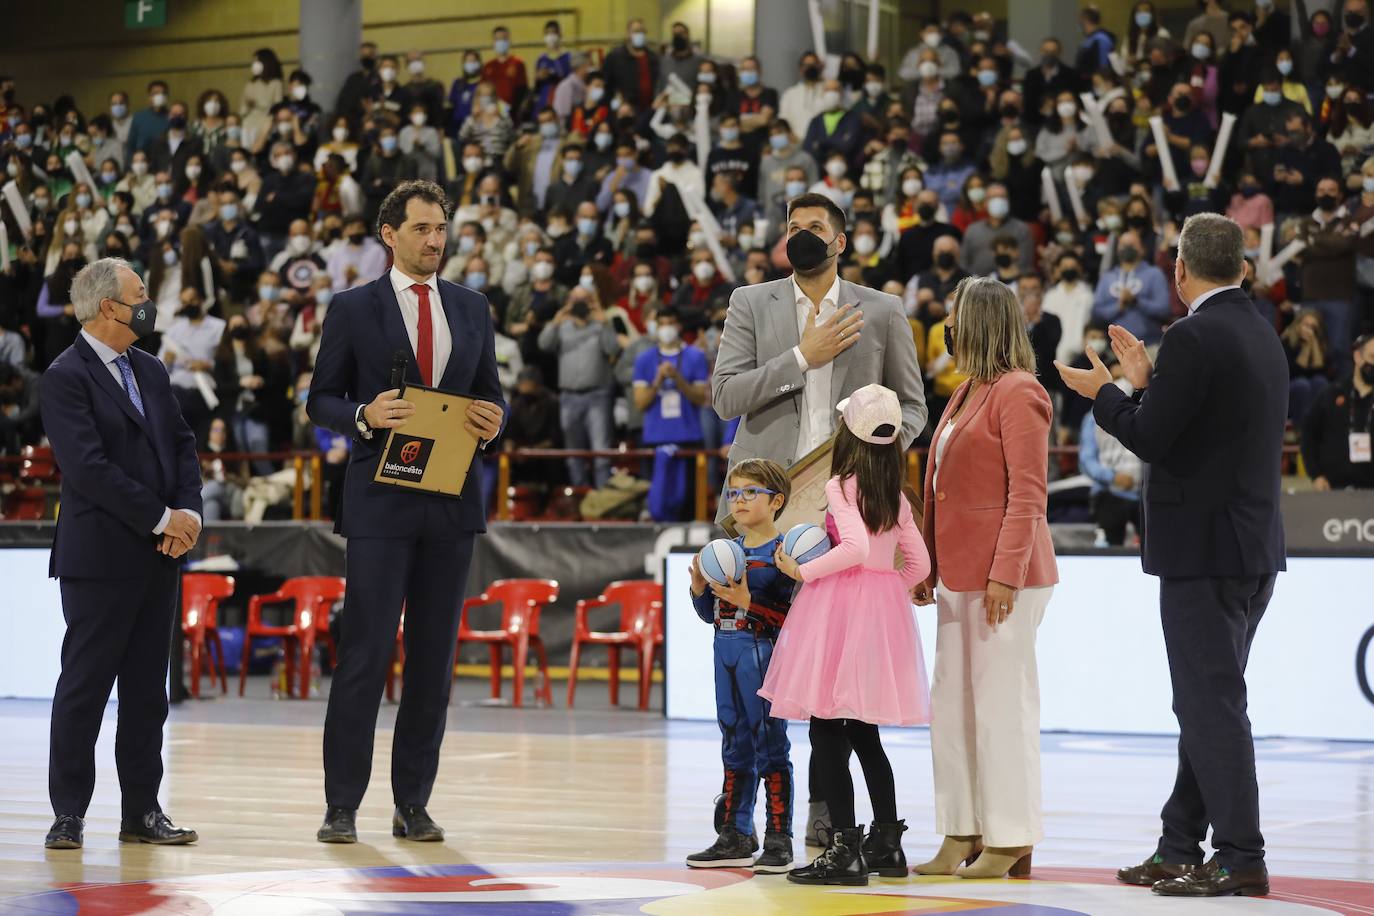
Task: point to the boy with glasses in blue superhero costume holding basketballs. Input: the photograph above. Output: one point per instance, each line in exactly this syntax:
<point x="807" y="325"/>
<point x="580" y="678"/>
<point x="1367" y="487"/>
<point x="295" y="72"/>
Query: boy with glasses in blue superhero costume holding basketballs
<point x="748" y="616"/>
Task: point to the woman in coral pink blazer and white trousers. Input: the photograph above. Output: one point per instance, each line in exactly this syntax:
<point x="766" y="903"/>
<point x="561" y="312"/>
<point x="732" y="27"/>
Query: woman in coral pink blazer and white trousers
<point x="991" y="573"/>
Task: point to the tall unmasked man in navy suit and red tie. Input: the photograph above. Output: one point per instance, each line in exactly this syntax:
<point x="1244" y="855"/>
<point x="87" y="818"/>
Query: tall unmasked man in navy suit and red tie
<point x="403" y="547"/>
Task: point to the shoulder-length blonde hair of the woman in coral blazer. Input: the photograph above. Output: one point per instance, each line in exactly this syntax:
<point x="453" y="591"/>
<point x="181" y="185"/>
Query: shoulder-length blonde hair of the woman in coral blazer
<point x="990" y="330"/>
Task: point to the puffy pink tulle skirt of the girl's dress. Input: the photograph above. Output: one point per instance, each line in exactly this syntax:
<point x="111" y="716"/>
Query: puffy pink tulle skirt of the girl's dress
<point x="851" y="650"/>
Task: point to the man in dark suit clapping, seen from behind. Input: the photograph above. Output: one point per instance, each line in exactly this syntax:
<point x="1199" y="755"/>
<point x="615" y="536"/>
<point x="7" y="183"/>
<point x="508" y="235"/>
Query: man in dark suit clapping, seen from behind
<point x="1210" y="422"/>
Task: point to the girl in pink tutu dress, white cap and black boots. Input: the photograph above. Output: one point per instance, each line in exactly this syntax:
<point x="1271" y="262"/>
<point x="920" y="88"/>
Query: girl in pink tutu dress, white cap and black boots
<point x="848" y="659"/>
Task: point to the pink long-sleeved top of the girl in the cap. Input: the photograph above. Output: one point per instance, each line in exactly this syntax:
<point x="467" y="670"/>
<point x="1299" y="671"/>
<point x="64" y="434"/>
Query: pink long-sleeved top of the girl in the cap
<point x="861" y="547"/>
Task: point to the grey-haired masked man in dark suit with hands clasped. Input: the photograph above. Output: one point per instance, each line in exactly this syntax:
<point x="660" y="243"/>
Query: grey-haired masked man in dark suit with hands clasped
<point x="131" y="507"/>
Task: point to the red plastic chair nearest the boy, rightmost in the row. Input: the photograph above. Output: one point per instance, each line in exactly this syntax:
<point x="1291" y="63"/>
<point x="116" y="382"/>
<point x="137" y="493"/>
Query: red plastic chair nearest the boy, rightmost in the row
<point x="641" y="630"/>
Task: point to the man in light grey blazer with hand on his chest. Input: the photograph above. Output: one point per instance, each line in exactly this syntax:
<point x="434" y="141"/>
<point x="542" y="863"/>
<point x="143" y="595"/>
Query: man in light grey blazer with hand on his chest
<point x="795" y="348"/>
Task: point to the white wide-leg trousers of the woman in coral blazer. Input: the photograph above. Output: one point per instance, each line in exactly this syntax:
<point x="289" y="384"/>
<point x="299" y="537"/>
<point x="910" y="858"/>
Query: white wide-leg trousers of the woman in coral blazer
<point x="986" y="720"/>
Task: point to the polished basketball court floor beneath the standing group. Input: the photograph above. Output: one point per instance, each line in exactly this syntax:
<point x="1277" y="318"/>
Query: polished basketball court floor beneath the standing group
<point x="593" y="811"/>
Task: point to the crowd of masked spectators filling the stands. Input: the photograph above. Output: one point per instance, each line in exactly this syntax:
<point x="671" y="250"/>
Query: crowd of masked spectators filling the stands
<point x="609" y="201"/>
